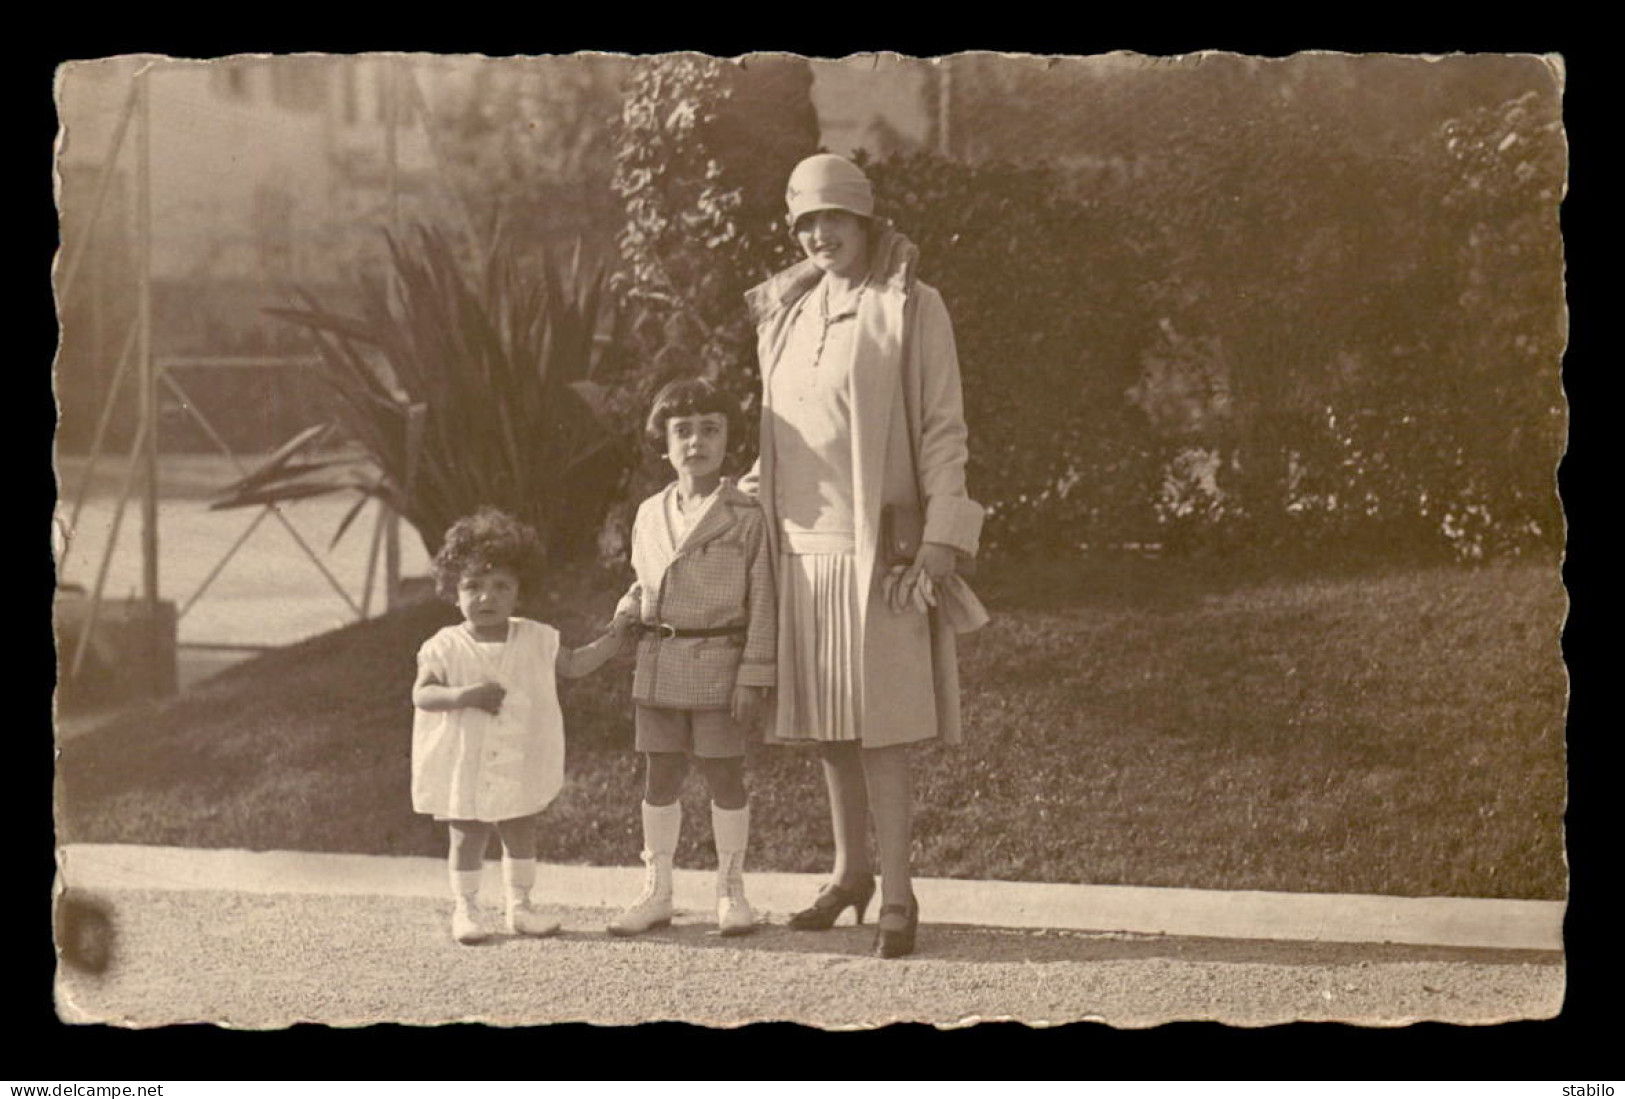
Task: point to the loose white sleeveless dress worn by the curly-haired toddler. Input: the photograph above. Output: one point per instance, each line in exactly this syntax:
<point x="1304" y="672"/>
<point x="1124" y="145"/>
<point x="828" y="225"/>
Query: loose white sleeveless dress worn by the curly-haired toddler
<point x="469" y="765"/>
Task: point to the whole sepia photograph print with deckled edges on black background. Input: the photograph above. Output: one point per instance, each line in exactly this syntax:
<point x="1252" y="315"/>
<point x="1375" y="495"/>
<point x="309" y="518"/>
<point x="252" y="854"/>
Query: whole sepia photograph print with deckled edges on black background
<point x="828" y="541"/>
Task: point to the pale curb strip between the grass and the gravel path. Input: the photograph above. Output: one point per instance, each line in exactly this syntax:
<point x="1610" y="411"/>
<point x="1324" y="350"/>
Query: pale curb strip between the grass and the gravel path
<point x="1311" y="918"/>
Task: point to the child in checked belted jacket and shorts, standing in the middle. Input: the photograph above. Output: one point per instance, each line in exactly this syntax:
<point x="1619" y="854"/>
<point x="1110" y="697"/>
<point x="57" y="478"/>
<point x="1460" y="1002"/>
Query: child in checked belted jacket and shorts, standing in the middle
<point x="704" y="610"/>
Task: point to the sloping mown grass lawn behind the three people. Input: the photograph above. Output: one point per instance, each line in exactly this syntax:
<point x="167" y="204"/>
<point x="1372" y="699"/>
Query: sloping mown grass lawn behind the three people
<point x="1129" y="723"/>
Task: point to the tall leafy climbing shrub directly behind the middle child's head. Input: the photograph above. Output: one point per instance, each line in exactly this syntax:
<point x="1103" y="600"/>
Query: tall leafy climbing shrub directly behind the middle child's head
<point x="703" y="152"/>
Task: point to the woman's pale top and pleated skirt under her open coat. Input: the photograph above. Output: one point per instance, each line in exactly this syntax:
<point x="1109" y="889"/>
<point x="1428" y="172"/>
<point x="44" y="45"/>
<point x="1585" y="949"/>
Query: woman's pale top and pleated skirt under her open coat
<point x="813" y="498"/>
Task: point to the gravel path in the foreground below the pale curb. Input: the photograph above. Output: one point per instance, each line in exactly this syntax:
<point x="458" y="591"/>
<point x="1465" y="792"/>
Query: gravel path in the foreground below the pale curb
<point x="269" y="962"/>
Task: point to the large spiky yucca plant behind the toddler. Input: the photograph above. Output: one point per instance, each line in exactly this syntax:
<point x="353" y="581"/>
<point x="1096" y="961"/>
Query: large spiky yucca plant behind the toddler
<point x="462" y="393"/>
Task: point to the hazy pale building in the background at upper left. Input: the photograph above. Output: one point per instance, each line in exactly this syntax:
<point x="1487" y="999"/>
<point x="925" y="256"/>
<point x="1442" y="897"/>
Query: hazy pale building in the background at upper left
<point x="266" y="175"/>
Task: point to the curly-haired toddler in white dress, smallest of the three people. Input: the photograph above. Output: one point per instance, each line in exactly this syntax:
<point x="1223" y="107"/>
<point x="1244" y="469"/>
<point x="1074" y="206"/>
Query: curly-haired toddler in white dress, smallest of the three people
<point x="488" y="734"/>
